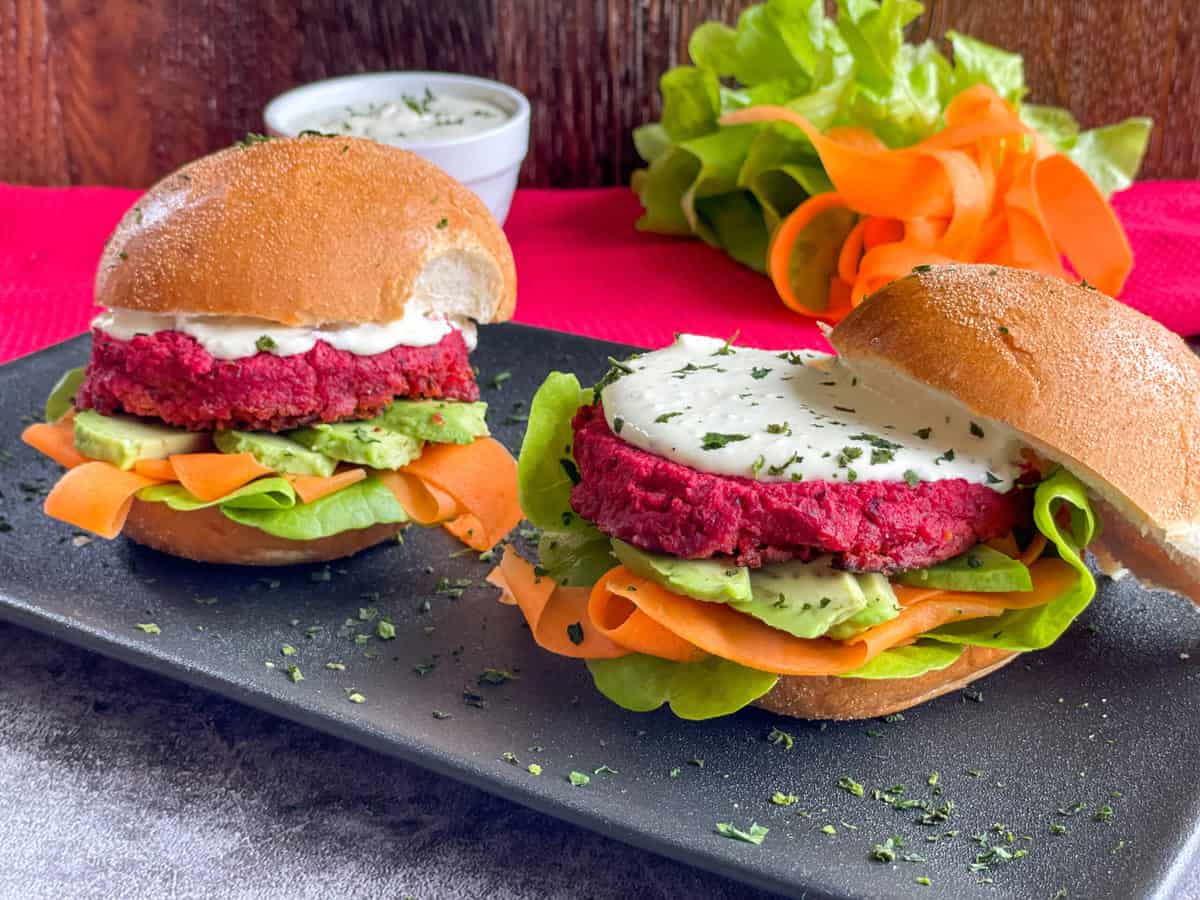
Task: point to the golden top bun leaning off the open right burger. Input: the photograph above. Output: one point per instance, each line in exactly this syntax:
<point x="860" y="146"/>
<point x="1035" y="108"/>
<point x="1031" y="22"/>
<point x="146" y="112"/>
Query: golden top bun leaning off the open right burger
<point x="1083" y="380"/>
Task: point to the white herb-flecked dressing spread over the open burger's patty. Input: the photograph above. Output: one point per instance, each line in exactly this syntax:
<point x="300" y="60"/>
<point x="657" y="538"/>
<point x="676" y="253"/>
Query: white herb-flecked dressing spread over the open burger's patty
<point x="796" y="417"/>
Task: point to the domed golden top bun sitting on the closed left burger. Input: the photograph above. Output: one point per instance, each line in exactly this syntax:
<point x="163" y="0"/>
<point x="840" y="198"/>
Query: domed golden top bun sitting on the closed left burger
<point x="310" y="231"/>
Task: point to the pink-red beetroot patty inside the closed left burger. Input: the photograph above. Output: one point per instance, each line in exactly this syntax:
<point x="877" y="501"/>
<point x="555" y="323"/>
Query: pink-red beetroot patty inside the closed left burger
<point x="171" y="376"/>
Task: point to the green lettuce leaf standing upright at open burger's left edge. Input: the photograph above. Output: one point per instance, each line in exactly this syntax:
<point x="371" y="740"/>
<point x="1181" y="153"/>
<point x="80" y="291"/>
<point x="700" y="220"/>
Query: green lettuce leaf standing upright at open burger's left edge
<point x="572" y="550"/>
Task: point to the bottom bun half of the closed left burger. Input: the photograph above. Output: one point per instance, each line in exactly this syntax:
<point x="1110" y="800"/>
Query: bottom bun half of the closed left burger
<point x="207" y="536"/>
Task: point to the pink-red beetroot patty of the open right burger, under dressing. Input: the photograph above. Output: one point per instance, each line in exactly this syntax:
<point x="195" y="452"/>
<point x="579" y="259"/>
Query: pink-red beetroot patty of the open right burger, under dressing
<point x="869" y="526"/>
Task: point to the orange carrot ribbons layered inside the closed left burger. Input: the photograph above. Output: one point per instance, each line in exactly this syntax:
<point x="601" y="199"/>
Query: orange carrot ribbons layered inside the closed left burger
<point x="470" y="489"/>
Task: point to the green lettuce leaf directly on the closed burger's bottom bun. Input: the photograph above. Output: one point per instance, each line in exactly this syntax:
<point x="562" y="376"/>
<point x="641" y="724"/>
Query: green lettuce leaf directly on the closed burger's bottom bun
<point x="361" y="506"/>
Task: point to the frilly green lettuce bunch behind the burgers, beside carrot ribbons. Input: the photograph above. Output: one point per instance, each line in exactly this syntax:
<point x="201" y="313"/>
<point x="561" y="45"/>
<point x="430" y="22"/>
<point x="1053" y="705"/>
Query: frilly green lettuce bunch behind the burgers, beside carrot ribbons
<point x="731" y="187"/>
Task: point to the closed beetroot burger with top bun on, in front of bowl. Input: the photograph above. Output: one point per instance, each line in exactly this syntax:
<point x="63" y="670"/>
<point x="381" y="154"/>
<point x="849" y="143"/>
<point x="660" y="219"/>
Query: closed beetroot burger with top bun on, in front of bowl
<point x="281" y="374"/>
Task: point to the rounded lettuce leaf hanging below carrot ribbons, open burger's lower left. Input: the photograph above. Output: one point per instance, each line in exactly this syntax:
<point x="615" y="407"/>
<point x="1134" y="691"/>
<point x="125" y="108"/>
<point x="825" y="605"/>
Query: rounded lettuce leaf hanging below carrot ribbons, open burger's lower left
<point x="707" y="689"/>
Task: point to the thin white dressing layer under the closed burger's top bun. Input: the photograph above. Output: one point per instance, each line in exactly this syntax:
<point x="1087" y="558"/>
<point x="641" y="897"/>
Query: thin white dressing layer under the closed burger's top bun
<point x="238" y="338"/>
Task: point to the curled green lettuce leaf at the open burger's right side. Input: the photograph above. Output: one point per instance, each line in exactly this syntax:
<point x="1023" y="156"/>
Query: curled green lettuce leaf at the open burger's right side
<point x="1042" y="626"/>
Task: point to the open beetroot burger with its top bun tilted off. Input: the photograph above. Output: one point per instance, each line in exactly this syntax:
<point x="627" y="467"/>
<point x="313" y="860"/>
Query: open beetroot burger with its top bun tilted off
<point x="845" y="537"/>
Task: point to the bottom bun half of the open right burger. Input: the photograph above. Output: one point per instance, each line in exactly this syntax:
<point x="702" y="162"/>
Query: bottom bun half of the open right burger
<point x="832" y="698"/>
